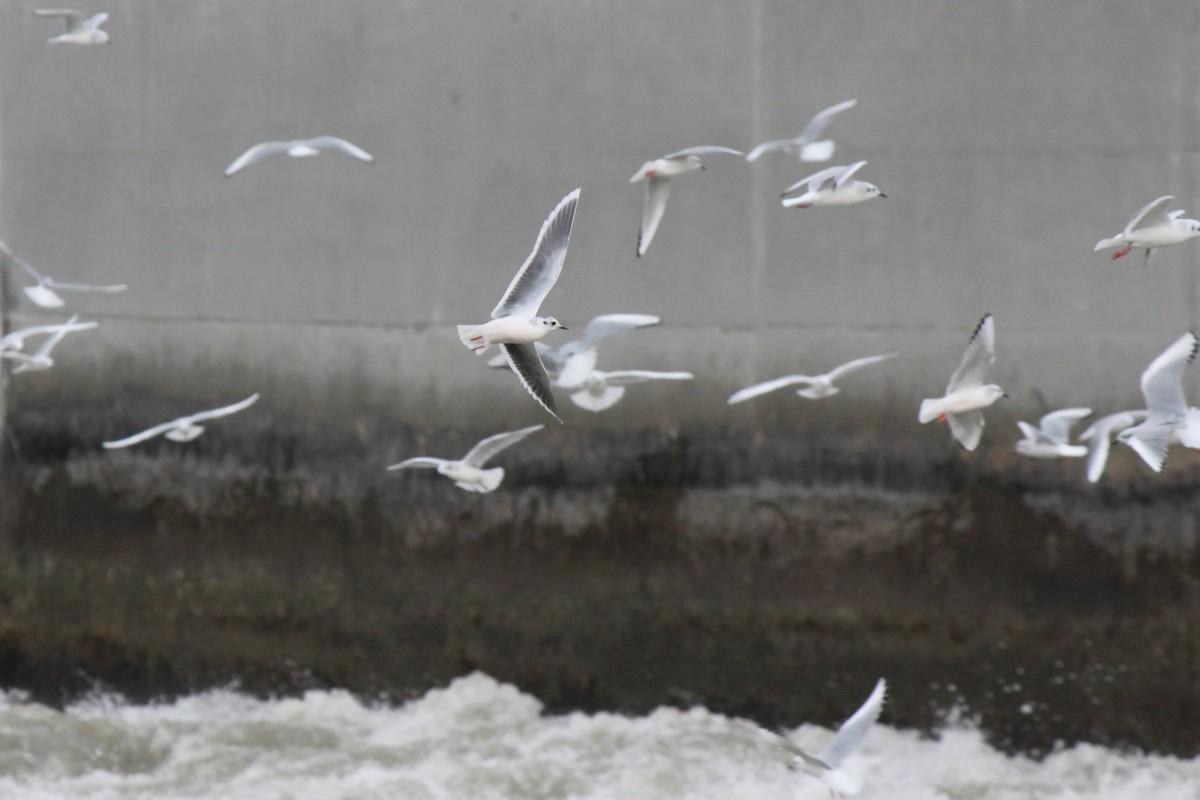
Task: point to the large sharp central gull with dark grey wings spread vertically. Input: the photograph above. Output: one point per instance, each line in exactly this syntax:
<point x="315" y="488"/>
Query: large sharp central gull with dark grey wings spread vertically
<point x="515" y="324"/>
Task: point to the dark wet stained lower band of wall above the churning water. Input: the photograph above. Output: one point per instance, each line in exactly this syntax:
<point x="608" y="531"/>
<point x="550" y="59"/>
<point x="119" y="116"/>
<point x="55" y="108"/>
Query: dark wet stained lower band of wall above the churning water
<point x="767" y="576"/>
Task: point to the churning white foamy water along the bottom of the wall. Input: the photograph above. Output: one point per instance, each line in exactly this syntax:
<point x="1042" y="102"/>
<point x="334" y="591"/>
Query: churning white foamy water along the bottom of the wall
<point x="483" y="739"/>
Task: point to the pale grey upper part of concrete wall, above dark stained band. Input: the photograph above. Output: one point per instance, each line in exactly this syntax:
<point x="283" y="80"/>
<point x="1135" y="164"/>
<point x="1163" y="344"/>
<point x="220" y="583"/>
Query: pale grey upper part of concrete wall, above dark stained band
<point x="1009" y="136"/>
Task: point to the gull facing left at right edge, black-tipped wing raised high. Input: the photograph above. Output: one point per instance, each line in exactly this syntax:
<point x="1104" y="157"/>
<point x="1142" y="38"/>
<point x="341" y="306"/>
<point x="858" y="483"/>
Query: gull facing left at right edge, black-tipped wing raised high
<point x="1168" y="419"/>
